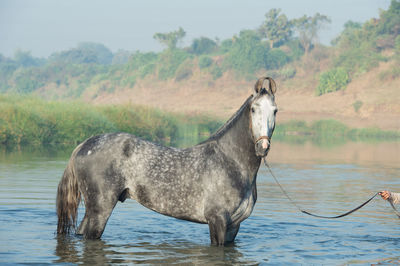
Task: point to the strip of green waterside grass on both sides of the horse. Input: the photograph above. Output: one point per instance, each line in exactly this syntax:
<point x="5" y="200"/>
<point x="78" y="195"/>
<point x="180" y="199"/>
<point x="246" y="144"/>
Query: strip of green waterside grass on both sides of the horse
<point x="26" y="120"/>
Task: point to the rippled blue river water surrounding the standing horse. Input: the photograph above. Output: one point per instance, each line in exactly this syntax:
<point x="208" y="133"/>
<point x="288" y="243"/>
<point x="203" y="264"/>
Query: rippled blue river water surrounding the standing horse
<point x="327" y="181"/>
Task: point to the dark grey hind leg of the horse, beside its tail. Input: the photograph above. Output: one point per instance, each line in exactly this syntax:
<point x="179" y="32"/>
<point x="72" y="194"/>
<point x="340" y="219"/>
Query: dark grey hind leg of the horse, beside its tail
<point x="98" y="208"/>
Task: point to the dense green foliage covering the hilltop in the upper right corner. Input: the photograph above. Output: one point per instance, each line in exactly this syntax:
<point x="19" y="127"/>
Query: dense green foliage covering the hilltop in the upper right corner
<point x="359" y="48"/>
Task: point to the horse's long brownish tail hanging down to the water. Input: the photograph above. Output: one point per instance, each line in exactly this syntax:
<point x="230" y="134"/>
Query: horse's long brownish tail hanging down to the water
<point x="68" y="197"/>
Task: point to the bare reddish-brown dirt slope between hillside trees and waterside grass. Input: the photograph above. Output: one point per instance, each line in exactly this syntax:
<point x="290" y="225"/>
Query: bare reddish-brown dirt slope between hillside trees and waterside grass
<point x="368" y="101"/>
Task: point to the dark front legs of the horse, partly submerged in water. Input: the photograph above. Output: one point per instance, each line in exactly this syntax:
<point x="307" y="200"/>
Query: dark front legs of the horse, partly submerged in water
<point x="221" y="229"/>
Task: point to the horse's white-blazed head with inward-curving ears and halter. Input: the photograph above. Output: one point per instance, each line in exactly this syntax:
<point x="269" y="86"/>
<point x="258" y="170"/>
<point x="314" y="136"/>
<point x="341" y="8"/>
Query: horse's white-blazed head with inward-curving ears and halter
<point x="262" y="114"/>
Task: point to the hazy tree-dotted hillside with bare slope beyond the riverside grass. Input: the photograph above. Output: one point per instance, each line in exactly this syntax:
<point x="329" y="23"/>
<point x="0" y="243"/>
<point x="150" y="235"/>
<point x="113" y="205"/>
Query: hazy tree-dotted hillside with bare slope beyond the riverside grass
<point x="356" y="80"/>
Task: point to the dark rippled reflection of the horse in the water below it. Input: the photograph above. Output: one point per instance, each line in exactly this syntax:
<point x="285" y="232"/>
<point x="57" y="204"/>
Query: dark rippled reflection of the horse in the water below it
<point x="98" y="252"/>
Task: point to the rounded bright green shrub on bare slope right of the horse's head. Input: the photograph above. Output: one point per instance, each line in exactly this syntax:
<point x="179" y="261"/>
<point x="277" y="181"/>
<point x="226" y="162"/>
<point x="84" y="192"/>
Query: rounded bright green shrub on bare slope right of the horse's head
<point x="332" y="80"/>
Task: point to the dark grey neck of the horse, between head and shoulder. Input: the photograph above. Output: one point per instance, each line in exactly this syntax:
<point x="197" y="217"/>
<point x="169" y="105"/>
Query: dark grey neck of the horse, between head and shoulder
<point x="237" y="141"/>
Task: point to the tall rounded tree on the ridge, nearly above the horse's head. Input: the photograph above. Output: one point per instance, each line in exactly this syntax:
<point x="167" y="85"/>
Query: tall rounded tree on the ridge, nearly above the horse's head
<point x="276" y="28"/>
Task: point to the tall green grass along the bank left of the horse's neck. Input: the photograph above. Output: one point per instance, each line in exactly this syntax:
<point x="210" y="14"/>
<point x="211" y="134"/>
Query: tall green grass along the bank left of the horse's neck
<point x="27" y="120"/>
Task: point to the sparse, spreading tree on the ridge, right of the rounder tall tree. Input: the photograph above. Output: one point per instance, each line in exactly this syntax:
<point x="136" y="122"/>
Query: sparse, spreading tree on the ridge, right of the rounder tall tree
<point x="308" y="27"/>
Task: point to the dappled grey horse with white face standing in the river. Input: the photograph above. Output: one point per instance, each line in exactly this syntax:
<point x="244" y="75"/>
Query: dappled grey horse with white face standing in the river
<point x="213" y="182"/>
